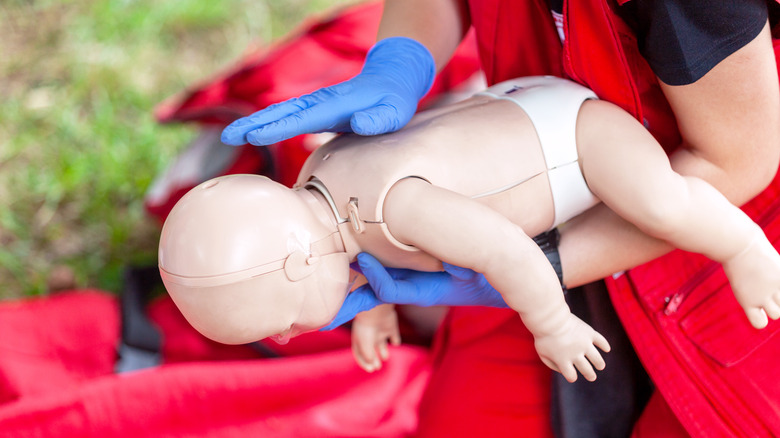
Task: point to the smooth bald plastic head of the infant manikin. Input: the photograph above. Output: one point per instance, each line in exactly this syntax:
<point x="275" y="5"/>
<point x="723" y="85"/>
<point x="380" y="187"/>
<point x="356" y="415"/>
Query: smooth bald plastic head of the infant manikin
<point x="245" y="258"/>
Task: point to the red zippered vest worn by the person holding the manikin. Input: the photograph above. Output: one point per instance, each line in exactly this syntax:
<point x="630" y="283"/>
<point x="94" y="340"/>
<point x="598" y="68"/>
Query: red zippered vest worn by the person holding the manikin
<point x="715" y="371"/>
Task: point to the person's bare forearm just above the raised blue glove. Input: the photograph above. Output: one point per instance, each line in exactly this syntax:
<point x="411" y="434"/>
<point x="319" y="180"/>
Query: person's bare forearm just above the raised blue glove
<point x="438" y="24"/>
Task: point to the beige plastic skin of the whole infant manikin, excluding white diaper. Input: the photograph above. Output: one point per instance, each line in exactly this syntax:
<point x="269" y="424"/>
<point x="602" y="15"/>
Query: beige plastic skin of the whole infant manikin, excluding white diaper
<point x="245" y="258"/>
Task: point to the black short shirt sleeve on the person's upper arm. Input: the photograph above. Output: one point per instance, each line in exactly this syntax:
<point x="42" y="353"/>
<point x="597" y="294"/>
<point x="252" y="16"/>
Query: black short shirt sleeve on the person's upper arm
<point x="682" y="40"/>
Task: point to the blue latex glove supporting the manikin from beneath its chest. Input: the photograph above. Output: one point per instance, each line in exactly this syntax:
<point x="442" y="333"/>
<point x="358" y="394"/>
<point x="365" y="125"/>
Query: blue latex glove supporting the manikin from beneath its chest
<point x="454" y="287"/>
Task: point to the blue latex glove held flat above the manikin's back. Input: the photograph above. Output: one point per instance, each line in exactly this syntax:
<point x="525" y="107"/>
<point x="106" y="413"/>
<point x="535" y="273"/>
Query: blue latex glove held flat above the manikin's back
<point x="397" y="72"/>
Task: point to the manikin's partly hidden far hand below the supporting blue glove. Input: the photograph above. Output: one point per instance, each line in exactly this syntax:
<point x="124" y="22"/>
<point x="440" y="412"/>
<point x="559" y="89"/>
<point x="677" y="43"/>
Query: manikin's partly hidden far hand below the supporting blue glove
<point x="372" y="331"/>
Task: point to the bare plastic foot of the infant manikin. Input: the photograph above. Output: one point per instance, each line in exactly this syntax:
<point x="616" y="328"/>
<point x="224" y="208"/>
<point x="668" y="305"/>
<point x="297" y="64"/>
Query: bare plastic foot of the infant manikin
<point x="754" y="275"/>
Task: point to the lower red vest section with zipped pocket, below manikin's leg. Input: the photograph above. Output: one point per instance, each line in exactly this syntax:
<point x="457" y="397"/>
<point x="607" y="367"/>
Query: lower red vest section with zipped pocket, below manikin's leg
<point x="713" y="368"/>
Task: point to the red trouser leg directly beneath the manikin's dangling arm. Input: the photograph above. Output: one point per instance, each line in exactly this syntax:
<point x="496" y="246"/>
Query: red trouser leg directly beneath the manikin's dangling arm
<point x="485" y="384"/>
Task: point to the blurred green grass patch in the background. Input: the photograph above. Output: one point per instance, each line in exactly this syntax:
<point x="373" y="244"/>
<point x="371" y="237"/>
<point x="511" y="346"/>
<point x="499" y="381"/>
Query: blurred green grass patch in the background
<point x="78" y="143"/>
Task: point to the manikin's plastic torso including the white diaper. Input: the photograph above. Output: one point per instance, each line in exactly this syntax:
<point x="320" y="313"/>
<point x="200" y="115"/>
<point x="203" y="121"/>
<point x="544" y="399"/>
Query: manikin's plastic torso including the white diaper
<point x="499" y="163"/>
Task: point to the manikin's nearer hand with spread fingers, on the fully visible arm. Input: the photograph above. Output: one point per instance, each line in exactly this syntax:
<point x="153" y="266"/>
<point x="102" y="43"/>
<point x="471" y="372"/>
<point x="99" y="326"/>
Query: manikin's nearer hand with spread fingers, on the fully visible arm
<point x="572" y="348"/>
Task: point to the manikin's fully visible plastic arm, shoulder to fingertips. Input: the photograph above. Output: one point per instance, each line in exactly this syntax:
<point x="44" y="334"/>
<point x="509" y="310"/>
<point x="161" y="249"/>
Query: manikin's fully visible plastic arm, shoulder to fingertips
<point x="465" y="233"/>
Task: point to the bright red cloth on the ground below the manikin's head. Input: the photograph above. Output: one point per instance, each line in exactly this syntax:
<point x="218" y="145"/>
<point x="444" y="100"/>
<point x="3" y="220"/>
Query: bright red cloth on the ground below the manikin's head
<point x="56" y="365"/>
